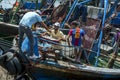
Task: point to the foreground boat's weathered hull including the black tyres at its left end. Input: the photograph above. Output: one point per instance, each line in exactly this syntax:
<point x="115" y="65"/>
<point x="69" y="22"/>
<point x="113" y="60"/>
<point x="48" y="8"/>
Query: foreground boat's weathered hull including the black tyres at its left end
<point x="66" y="68"/>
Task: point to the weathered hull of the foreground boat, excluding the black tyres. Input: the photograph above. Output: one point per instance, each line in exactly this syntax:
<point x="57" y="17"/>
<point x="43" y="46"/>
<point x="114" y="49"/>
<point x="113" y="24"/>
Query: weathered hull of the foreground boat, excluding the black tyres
<point x="83" y="72"/>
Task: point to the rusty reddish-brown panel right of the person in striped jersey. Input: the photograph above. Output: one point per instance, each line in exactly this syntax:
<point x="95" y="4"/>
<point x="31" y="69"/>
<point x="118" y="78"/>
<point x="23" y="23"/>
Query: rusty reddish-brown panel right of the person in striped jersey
<point x="91" y="30"/>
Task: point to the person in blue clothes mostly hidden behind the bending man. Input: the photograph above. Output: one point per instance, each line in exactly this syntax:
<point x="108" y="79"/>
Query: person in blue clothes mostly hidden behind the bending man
<point x="26" y="44"/>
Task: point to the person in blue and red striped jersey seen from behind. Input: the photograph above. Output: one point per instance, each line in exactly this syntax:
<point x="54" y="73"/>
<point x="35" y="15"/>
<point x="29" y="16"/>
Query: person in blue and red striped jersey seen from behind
<point x="77" y="36"/>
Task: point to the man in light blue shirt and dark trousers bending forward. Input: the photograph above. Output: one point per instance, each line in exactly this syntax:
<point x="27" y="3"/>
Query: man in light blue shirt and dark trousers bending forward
<point x="25" y="27"/>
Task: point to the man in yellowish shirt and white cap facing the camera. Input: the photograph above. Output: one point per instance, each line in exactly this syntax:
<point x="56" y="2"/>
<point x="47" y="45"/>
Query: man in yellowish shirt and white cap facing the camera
<point x="58" y="35"/>
